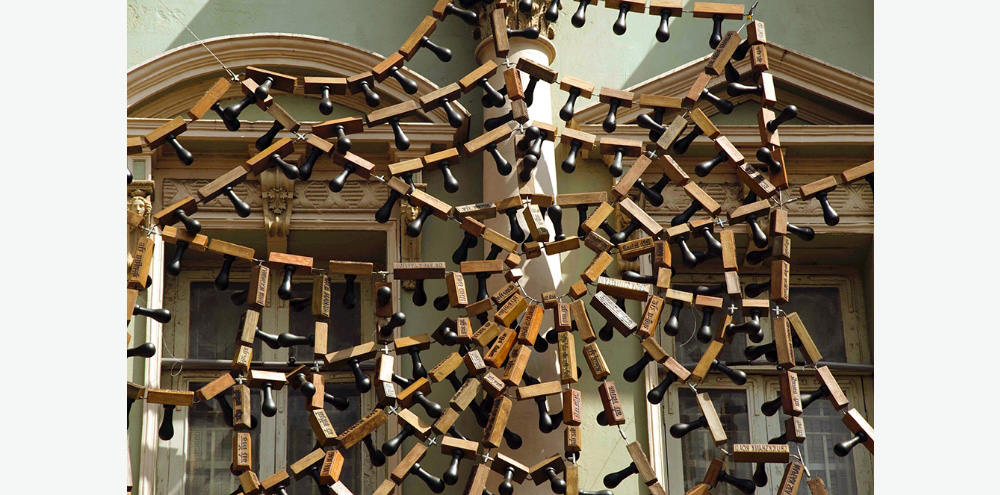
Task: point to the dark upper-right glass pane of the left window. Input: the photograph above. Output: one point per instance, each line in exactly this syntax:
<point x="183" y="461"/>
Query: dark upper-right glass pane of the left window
<point x="344" y="325"/>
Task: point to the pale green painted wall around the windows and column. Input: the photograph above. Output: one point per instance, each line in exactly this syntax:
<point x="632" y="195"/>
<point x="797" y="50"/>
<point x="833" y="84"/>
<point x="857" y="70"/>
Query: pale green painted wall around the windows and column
<point x="840" y="33"/>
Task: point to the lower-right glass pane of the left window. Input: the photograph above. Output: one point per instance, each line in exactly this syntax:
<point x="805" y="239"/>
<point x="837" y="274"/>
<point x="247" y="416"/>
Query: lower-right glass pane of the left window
<point x="301" y="440"/>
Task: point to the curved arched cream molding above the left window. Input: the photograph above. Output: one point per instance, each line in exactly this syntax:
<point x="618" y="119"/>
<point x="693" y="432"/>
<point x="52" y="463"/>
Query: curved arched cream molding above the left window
<point x="190" y="63"/>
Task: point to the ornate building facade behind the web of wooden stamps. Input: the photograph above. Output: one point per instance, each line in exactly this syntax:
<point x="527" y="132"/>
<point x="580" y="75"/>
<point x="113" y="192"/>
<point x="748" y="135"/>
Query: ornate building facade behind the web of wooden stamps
<point x="821" y="57"/>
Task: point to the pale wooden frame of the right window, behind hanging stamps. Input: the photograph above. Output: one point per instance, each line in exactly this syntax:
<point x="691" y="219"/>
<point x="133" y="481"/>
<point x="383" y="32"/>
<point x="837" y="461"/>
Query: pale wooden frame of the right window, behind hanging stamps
<point x="858" y="385"/>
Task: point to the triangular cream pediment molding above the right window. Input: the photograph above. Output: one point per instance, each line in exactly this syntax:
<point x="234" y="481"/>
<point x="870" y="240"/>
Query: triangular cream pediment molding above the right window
<point x="845" y="88"/>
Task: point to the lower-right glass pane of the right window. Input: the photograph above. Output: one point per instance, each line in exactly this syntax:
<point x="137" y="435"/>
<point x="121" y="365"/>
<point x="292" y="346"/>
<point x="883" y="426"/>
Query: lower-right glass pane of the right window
<point x="824" y="429"/>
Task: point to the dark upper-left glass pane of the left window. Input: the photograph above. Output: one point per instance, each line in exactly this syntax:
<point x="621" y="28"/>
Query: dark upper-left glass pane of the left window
<point x="214" y="321"/>
